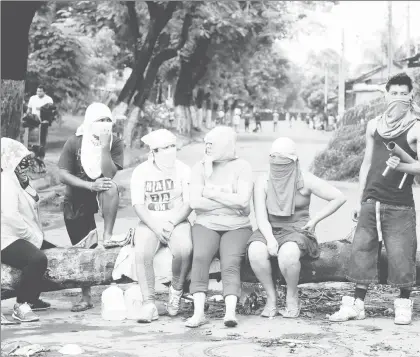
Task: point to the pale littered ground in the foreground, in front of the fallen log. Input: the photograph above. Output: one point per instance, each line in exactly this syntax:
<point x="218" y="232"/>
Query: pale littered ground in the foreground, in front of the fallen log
<point x="309" y="335"/>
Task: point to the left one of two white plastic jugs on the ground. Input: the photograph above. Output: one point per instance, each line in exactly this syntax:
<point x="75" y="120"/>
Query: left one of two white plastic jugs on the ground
<point x="113" y="304"/>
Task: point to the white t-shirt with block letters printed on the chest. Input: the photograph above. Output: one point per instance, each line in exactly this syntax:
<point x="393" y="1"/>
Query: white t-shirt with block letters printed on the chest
<point x="162" y="194"/>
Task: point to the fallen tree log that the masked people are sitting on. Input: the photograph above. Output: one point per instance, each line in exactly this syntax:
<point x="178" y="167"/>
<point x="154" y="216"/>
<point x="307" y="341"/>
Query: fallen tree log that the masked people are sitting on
<point x="76" y="267"/>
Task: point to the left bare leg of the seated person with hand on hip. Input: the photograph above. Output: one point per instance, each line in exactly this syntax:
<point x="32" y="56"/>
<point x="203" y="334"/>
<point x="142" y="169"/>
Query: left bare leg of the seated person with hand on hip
<point x="260" y="264"/>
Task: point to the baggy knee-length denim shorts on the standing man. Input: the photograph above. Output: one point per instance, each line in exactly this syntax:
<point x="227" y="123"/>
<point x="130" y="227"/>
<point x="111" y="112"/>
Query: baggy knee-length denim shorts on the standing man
<point x="398" y="226"/>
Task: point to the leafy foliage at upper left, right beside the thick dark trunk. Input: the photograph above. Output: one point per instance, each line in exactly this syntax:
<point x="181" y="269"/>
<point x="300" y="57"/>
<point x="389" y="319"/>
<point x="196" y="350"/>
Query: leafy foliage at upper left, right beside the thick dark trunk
<point x="71" y="50"/>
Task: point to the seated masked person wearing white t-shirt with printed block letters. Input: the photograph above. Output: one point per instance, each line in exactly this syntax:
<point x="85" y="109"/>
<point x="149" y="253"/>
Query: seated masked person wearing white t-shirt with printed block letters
<point x="160" y="197"/>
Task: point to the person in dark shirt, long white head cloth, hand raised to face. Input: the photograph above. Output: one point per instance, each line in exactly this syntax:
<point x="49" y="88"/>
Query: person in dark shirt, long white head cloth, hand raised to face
<point x="88" y="163"/>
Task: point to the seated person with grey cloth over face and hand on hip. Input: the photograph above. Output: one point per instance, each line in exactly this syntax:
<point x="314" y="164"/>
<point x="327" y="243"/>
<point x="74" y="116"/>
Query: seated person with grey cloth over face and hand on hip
<point x="286" y="232"/>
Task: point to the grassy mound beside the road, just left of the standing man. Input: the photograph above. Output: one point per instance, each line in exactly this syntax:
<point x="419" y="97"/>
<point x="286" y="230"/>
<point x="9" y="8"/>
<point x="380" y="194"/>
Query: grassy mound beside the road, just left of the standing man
<point x="343" y="157"/>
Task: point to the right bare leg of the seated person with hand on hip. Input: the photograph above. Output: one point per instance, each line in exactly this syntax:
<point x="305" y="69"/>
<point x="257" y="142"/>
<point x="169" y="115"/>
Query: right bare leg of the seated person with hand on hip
<point x="289" y="263"/>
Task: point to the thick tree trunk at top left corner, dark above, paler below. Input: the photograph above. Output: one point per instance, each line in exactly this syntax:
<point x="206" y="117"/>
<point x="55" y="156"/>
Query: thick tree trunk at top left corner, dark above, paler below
<point x="16" y="19"/>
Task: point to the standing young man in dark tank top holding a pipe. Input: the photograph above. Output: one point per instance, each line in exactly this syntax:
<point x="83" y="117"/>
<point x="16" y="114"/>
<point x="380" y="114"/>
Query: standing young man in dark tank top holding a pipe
<point x="386" y="209"/>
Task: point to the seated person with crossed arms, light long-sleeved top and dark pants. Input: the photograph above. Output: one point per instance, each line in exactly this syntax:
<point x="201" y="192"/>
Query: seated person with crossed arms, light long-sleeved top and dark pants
<point x="221" y="189"/>
